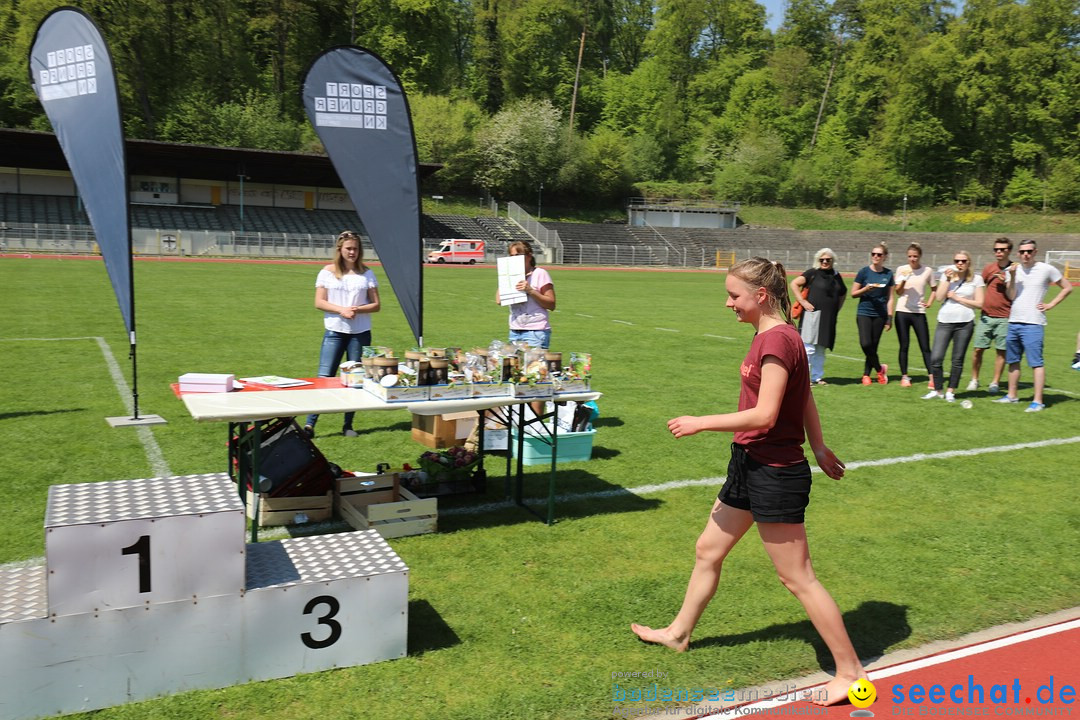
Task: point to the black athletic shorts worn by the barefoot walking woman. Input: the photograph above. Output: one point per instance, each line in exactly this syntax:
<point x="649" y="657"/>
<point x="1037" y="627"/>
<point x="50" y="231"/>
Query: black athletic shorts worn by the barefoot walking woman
<point x="772" y="495"/>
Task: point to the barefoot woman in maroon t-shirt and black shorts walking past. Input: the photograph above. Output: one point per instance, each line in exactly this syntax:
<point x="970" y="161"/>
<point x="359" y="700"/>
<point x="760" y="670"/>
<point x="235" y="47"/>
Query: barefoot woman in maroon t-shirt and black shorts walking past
<point x="768" y="477"/>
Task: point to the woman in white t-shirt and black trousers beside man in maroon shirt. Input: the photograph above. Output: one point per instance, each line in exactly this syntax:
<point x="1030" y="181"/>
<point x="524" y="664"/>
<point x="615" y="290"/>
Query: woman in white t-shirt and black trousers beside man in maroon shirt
<point x="961" y="292"/>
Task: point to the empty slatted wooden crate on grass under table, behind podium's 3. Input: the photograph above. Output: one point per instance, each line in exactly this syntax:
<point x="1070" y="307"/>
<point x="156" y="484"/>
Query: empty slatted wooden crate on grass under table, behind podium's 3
<point x="380" y="502"/>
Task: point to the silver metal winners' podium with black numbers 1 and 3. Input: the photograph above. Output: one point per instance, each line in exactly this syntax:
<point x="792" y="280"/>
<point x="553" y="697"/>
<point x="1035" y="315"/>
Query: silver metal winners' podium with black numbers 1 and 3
<point x="143" y="596"/>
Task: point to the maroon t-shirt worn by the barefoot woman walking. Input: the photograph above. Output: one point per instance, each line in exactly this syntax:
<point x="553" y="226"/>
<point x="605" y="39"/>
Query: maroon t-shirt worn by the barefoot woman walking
<point x="782" y="445"/>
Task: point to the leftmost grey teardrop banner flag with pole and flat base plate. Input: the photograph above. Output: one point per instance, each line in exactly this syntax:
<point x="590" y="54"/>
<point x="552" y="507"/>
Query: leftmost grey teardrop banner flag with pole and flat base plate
<point x="73" y="75"/>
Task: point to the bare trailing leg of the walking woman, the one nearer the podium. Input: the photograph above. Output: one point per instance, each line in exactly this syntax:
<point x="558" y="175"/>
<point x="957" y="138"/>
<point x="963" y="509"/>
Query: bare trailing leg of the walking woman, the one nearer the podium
<point x="725" y="528"/>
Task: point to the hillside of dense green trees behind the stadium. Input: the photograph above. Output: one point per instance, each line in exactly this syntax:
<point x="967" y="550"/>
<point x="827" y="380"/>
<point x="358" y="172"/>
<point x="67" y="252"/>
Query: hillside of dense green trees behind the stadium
<point x="849" y="104"/>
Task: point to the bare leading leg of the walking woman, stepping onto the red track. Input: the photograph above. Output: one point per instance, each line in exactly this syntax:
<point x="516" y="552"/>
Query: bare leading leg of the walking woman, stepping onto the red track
<point x="787" y="545"/>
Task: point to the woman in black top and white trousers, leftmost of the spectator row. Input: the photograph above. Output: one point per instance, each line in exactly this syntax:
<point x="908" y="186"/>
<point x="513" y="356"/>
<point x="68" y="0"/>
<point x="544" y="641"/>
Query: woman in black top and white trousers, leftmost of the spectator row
<point x="826" y="296"/>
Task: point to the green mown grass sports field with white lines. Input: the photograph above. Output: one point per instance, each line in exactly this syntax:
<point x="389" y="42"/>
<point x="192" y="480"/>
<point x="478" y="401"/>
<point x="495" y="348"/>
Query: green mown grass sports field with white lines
<point x="936" y="532"/>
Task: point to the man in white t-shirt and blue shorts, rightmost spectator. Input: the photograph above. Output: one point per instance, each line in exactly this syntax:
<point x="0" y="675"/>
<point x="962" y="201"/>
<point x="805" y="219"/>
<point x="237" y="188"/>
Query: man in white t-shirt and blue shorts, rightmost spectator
<point x="1028" y="288"/>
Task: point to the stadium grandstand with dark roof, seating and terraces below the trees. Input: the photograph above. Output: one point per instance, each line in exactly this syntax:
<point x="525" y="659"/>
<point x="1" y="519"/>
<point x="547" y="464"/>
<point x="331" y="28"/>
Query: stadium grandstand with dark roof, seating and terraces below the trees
<point x="196" y="200"/>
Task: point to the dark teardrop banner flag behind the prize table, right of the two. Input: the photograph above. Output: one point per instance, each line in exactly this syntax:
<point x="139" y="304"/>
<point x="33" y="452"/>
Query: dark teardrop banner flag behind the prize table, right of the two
<point x="359" y="111"/>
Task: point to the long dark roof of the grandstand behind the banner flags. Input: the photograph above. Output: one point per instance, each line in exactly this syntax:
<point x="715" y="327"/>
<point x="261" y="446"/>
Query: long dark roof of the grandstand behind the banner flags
<point x="25" y="148"/>
